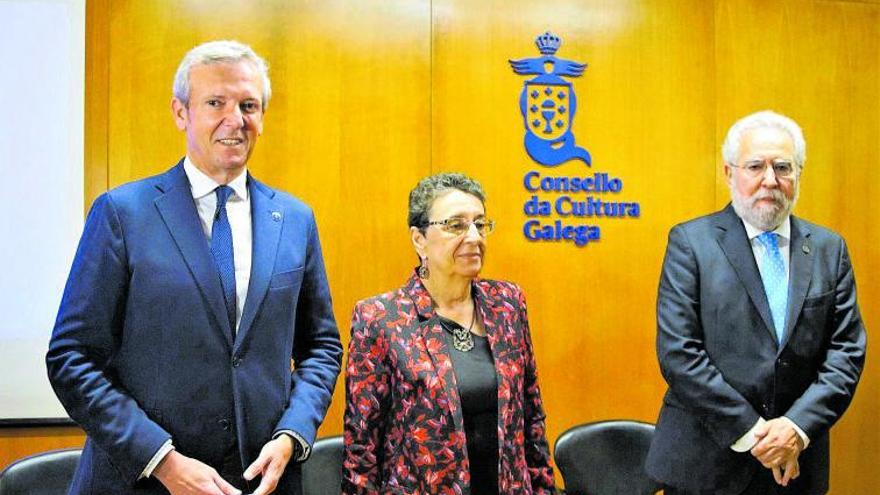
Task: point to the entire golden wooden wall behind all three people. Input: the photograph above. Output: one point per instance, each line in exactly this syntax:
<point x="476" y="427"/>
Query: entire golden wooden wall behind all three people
<point x="370" y="96"/>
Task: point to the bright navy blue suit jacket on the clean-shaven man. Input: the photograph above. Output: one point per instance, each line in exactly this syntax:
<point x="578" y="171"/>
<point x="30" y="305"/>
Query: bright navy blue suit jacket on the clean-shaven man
<point x="142" y="350"/>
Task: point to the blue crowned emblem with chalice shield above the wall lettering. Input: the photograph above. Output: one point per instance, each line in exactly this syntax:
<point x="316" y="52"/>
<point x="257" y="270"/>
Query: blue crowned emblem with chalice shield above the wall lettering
<point x="548" y="104"/>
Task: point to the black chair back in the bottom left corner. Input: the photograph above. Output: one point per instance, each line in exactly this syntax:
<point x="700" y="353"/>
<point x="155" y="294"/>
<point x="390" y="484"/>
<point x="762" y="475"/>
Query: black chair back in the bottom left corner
<point x="47" y="473"/>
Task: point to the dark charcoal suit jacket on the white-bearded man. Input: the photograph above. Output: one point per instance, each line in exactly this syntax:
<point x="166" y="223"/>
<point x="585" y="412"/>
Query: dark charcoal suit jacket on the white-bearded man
<point x="719" y="353"/>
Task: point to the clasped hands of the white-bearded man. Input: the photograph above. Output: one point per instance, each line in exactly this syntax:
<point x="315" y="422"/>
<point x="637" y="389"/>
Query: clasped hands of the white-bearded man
<point x="778" y="448"/>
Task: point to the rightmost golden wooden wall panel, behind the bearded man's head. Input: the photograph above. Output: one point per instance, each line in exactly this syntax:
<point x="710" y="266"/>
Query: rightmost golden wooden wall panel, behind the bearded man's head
<point x="818" y="63"/>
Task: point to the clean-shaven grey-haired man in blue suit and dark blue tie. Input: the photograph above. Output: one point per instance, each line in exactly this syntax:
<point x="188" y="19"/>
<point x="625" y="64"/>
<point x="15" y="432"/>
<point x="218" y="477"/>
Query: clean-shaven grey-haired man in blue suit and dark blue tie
<point x="196" y="343"/>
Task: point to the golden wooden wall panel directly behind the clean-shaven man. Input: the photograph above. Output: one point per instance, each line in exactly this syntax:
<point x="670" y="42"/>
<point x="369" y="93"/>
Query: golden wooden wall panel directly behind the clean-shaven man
<point x="347" y="129"/>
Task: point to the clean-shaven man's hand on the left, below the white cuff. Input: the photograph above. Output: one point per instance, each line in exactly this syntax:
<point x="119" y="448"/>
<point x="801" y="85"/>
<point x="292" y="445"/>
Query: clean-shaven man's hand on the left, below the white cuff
<point x="184" y="475"/>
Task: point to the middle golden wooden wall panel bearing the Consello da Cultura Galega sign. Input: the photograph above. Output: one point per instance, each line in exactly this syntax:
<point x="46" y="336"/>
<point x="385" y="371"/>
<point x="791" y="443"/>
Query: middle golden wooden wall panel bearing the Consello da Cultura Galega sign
<point x="591" y="308"/>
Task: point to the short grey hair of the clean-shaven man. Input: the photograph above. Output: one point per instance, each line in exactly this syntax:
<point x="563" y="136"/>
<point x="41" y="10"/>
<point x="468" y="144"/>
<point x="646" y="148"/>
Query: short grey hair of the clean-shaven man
<point x="213" y="52"/>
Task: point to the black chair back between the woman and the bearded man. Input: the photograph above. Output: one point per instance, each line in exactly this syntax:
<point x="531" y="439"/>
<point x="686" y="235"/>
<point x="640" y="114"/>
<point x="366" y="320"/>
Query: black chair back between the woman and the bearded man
<point x="606" y="458"/>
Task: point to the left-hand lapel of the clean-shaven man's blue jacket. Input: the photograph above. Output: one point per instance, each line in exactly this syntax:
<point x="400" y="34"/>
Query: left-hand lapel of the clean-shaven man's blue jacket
<point x="178" y="211"/>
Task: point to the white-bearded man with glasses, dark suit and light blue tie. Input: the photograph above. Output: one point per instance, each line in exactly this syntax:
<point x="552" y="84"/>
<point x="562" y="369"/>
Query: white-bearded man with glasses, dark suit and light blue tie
<point x="758" y="331"/>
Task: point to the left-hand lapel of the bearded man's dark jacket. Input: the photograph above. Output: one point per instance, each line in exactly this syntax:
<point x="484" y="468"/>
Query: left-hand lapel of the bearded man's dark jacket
<point x="735" y="244"/>
